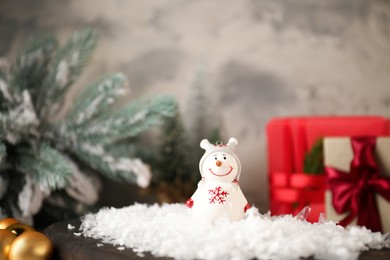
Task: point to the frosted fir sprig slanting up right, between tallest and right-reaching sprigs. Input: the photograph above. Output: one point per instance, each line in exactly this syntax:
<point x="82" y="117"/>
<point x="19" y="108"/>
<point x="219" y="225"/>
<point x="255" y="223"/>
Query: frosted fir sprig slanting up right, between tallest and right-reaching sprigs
<point x="95" y="100"/>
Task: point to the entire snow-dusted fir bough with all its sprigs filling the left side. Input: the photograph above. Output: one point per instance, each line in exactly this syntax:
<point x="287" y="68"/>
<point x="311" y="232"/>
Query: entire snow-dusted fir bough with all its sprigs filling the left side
<point x="52" y="164"/>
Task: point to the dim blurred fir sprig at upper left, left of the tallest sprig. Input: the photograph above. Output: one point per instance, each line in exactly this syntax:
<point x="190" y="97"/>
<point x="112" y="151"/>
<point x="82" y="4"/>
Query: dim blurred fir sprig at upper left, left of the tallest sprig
<point x="30" y="67"/>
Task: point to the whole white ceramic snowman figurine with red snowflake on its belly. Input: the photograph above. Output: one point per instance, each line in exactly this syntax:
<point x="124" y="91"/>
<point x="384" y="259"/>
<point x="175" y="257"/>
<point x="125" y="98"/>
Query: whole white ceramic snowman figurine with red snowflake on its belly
<point x="218" y="193"/>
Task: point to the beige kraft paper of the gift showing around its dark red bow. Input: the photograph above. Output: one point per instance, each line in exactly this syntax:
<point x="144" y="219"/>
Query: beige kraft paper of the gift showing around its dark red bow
<point x="338" y="154"/>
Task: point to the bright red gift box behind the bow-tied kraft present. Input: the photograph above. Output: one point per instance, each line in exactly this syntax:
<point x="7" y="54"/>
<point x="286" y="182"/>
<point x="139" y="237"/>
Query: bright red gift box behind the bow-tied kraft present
<point x="289" y="139"/>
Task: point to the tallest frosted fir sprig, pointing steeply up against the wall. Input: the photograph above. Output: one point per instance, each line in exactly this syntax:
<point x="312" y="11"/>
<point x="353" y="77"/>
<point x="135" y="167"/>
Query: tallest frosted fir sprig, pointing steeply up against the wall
<point x="64" y="69"/>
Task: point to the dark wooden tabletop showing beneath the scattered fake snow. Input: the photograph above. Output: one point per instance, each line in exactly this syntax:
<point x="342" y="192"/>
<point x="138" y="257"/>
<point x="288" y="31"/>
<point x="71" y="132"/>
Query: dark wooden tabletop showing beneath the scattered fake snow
<point x="67" y="246"/>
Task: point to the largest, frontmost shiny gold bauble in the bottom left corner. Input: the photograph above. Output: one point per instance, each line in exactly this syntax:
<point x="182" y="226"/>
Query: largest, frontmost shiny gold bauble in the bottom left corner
<point x="31" y="245"/>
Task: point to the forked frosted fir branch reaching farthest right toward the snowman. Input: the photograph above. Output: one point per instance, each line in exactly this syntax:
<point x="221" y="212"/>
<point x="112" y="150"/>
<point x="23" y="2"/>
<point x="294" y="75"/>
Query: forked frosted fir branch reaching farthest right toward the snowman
<point x="94" y="142"/>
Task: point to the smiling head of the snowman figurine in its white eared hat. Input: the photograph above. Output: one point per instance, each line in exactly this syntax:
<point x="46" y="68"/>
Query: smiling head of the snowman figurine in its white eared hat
<point x="220" y="162"/>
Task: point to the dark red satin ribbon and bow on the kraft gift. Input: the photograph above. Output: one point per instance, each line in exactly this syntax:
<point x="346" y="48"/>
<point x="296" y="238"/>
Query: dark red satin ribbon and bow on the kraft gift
<point x="354" y="192"/>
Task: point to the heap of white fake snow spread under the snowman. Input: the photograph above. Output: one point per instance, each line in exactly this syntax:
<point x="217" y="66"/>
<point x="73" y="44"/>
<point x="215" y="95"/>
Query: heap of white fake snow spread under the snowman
<point x="170" y="230"/>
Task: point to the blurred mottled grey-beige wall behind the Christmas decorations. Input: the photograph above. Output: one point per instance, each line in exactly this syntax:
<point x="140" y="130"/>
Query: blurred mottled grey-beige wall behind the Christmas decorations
<point x="255" y="59"/>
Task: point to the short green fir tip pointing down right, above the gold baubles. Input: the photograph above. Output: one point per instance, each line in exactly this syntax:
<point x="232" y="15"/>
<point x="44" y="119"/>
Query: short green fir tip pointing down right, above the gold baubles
<point x="44" y="165"/>
